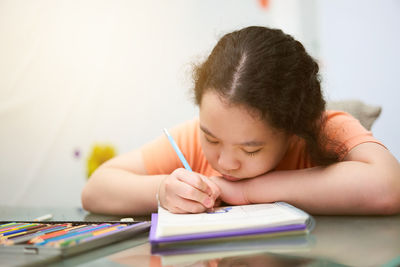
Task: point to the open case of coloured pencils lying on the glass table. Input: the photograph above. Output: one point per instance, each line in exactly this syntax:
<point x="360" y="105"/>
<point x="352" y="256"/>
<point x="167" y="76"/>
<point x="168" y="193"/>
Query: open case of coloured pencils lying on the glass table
<point x="64" y="238"/>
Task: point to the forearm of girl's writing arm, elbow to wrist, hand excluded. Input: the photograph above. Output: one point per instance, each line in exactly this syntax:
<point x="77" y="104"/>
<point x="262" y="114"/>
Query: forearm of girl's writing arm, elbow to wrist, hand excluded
<point x="116" y="191"/>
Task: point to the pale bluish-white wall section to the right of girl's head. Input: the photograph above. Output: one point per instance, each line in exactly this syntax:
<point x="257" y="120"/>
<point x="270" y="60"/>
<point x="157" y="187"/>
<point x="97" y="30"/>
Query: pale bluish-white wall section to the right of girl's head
<point x="360" y="55"/>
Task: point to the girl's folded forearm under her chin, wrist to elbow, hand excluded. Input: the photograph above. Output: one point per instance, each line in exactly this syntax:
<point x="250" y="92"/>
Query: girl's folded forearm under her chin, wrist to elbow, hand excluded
<point x="343" y="188"/>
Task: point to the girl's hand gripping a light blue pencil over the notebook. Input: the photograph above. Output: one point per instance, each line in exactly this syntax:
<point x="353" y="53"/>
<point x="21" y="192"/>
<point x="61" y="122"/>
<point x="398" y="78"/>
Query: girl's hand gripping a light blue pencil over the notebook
<point x="185" y="191"/>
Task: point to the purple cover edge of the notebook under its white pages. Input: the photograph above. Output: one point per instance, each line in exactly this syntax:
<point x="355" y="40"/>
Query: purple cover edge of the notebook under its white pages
<point x="209" y="235"/>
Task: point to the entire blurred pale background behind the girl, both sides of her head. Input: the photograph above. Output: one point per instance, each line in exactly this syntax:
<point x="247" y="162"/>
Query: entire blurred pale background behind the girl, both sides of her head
<point x="76" y="76"/>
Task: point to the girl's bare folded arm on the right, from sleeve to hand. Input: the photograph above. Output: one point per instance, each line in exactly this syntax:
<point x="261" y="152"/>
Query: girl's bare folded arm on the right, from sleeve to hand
<point x="366" y="182"/>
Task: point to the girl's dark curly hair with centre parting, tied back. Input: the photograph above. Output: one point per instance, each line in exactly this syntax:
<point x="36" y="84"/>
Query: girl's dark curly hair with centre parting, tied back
<point x="271" y="73"/>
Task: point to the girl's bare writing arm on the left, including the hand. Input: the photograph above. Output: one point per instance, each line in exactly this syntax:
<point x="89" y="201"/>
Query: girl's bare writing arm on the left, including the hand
<point x="122" y="186"/>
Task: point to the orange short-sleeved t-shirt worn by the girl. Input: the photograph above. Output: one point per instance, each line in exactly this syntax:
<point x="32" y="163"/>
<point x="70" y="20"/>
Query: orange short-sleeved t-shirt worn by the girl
<point x="160" y="158"/>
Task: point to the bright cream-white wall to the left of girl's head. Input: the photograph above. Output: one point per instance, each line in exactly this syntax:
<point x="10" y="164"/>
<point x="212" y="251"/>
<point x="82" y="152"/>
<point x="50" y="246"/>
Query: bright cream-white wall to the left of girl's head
<point x="73" y="73"/>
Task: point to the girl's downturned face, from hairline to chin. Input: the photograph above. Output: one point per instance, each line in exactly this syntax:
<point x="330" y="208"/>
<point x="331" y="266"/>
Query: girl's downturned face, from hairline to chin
<point x="237" y="144"/>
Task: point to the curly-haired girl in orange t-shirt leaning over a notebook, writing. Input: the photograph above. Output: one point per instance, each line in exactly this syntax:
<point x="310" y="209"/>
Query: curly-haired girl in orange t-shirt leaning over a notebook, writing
<point x="263" y="135"/>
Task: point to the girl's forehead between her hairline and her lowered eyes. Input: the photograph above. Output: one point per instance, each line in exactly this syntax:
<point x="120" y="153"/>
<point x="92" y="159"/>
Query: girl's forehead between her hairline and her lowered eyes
<point x="237" y="122"/>
